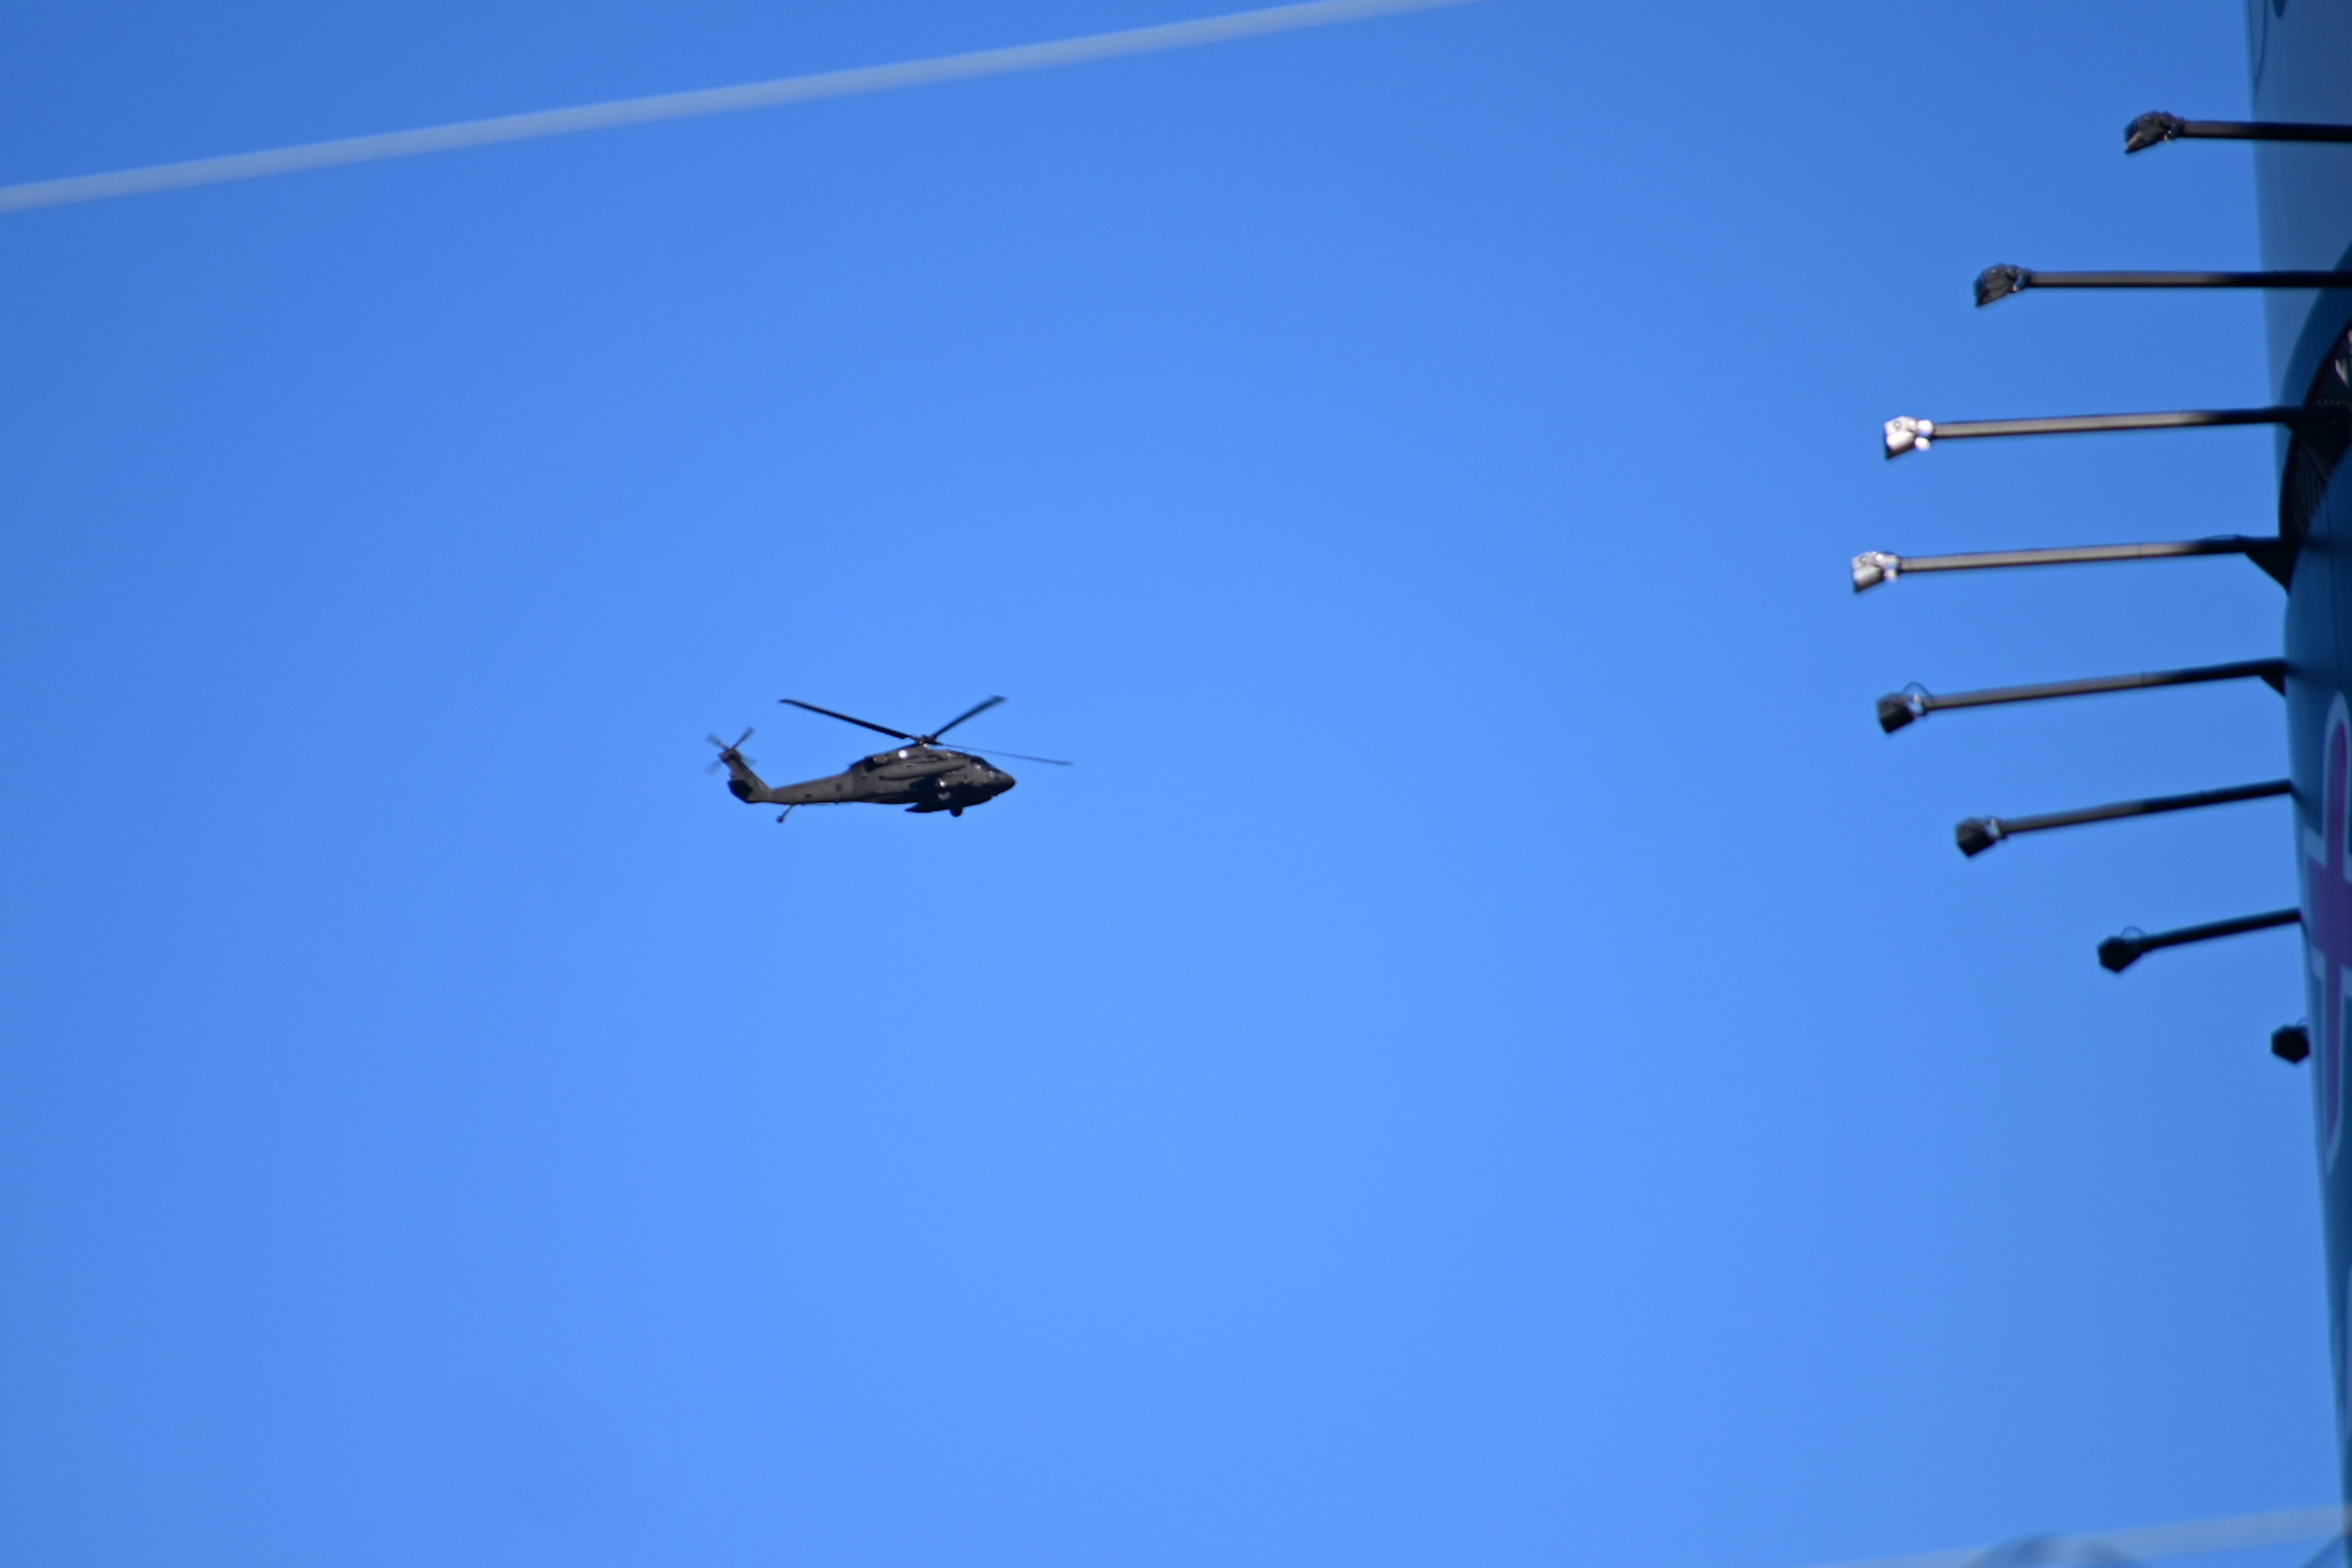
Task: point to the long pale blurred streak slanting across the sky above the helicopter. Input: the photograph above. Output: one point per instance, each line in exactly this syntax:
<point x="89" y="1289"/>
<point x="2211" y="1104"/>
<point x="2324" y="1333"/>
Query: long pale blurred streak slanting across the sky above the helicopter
<point x="704" y="102"/>
